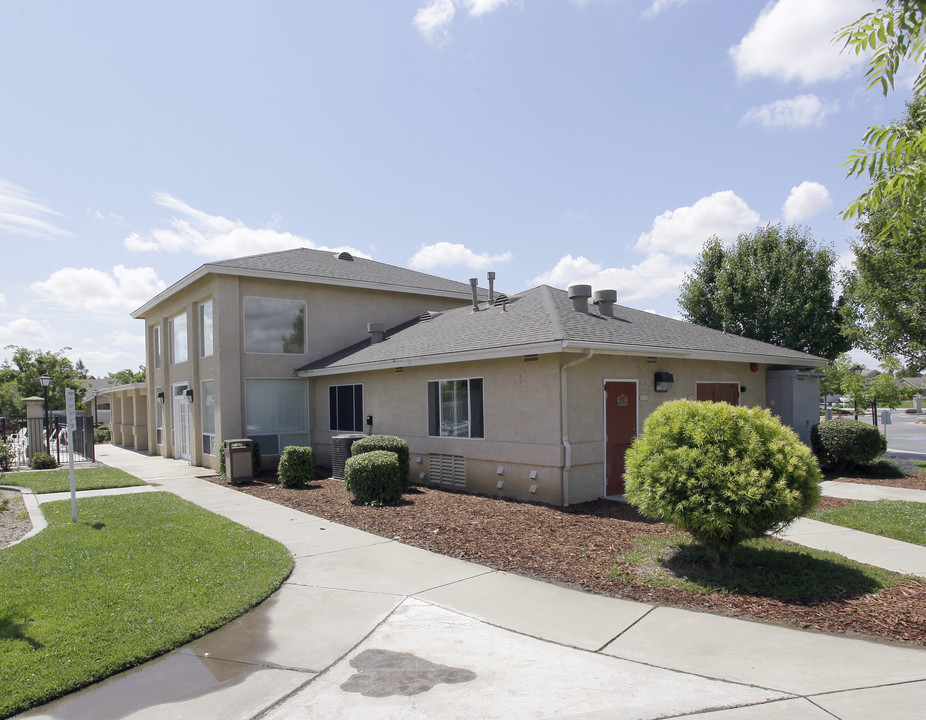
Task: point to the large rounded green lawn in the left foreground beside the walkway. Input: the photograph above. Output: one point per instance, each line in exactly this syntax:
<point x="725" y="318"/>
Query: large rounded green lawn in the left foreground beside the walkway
<point x="137" y="576"/>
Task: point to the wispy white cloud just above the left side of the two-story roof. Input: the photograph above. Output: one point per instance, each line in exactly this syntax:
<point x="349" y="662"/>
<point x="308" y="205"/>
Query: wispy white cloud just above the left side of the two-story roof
<point x="213" y="236"/>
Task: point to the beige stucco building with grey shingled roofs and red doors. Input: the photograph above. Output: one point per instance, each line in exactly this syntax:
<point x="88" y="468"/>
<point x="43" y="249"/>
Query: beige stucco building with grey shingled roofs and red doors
<point x="534" y="396"/>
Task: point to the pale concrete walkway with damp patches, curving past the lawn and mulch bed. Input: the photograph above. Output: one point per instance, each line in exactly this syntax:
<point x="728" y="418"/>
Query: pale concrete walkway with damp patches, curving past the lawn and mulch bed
<point x="366" y="627"/>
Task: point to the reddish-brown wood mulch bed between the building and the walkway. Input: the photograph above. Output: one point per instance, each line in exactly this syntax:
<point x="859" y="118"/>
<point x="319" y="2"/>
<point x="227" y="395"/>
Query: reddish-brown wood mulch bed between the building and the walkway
<point x="578" y="546"/>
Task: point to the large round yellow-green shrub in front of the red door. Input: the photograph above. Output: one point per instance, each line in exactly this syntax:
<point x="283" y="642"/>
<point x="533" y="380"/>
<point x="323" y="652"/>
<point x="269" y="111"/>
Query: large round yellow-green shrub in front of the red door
<point x="723" y="473"/>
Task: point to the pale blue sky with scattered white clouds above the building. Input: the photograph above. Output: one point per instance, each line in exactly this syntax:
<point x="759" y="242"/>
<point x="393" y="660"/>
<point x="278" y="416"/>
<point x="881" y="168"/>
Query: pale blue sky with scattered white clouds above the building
<point x="597" y="141"/>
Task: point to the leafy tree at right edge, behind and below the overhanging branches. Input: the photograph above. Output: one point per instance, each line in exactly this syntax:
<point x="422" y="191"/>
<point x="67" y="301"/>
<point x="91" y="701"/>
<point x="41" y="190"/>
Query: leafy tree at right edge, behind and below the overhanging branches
<point x="886" y="292"/>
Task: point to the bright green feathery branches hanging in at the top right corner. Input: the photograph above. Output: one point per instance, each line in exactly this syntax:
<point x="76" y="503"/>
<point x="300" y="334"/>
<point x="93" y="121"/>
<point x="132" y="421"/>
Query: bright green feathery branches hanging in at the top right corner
<point x="893" y="156"/>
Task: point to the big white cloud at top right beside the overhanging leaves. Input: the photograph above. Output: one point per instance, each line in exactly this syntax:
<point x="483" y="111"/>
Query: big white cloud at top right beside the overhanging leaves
<point x="793" y="40"/>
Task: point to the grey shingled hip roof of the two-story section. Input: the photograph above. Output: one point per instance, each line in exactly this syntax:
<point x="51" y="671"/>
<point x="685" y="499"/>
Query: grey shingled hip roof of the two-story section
<point x="323" y="267"/>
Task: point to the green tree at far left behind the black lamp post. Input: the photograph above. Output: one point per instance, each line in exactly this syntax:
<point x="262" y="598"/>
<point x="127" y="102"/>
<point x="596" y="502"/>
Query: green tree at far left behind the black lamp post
<point x="19" y="378"/>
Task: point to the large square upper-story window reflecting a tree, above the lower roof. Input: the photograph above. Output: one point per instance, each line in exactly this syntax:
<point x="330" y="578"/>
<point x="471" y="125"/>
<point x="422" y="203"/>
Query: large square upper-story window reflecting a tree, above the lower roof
<point x="274" y="326"/>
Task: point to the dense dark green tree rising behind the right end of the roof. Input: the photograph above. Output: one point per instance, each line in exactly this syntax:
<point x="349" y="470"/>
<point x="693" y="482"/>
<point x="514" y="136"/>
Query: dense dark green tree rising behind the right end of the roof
<point x="774" y="285"/>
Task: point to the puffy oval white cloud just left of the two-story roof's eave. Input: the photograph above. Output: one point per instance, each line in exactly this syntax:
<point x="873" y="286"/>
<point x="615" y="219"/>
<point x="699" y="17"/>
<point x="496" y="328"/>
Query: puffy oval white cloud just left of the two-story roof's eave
<point x="98" y="292"/>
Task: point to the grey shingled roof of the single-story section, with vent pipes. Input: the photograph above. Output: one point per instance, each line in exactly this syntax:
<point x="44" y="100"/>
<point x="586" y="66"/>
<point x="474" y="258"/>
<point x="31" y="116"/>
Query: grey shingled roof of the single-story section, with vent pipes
<point x="543" y="320"/>
